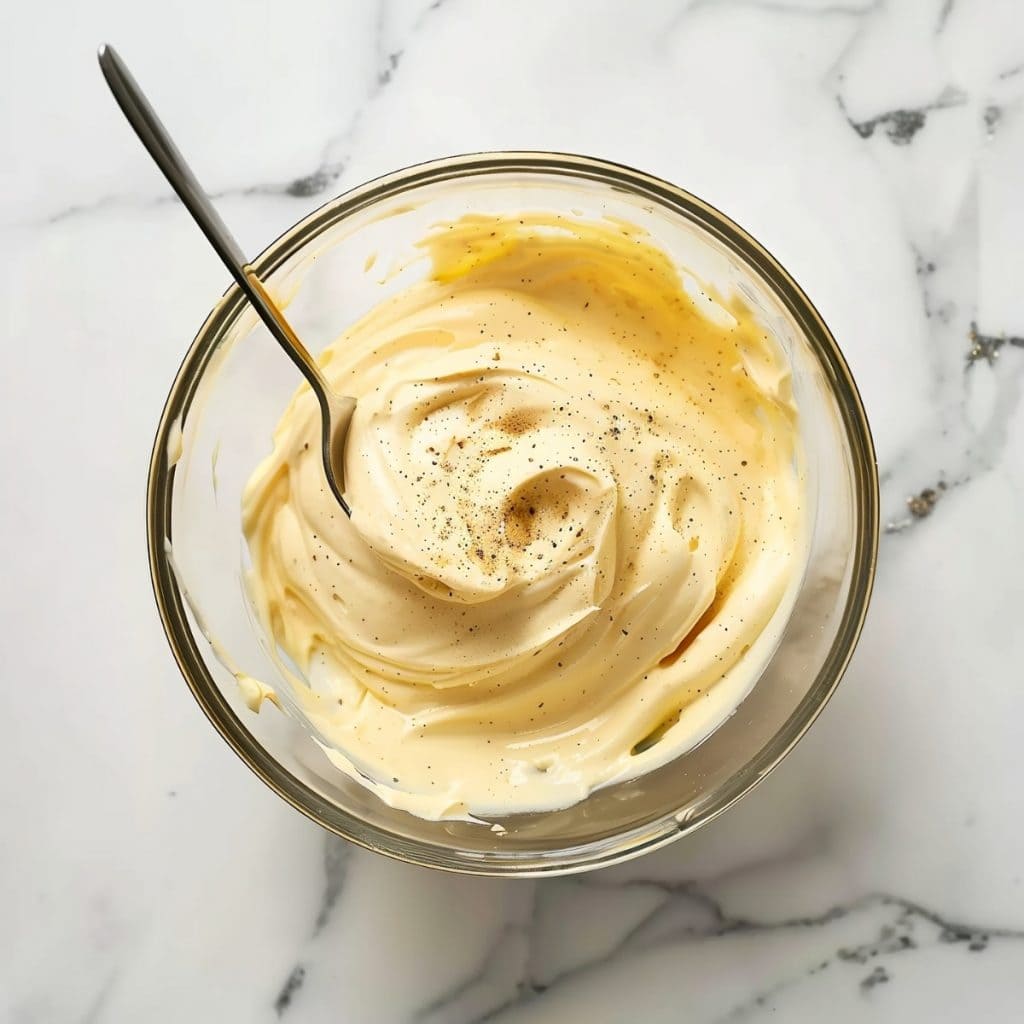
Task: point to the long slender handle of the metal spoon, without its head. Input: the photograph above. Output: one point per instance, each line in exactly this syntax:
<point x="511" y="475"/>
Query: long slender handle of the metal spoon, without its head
<point x="161" y="147"/>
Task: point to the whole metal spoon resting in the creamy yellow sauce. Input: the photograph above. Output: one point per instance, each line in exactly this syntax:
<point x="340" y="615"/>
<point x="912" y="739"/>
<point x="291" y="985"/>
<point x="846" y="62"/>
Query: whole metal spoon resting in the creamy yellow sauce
<point x="336" y="411"/>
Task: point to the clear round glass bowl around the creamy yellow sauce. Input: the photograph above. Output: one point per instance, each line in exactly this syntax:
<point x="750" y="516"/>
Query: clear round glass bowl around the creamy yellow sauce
<point x="235" y="383"/>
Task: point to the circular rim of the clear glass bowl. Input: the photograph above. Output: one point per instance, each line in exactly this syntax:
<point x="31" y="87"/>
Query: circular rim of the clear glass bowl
<point x="623" y="846"/>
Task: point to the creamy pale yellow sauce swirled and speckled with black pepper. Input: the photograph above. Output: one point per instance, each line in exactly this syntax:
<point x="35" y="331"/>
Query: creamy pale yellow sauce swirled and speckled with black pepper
<point x="578" y="523"/>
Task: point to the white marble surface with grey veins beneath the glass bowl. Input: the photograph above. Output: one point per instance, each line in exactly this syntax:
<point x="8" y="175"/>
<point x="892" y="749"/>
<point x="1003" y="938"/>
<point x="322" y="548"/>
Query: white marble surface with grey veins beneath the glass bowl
<point x="878" y="149"/>
